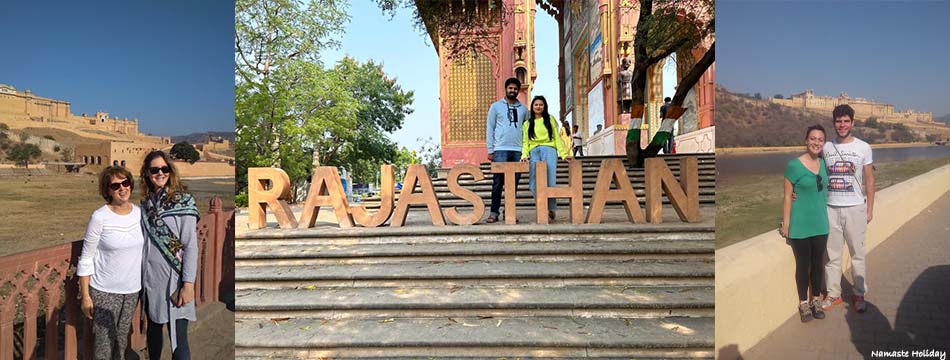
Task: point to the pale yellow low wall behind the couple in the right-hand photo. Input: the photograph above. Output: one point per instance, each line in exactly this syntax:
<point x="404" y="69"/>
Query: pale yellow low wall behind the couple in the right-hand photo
<point x="755" y="287"/>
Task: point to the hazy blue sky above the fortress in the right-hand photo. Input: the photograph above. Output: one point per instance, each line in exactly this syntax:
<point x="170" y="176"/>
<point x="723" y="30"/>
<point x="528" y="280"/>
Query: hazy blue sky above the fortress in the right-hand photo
<point x="893" y="52"/>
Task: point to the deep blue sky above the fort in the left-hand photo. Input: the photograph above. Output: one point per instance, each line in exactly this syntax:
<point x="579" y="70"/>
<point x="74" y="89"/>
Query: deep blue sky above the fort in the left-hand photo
<point x="168" y="63"/>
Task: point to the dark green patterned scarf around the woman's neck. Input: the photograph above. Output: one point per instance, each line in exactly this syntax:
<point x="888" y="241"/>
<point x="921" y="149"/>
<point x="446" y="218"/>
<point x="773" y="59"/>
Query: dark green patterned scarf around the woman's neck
<point x="157" y="206"/>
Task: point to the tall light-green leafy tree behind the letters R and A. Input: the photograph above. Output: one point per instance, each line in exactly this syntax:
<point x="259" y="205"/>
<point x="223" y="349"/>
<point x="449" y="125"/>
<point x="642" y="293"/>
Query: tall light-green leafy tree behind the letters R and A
<point x="283" y="96"/>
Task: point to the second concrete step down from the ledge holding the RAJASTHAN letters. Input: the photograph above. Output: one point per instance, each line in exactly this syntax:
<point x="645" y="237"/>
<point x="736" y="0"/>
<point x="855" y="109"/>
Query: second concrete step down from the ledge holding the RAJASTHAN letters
<point x="506" y="269"/>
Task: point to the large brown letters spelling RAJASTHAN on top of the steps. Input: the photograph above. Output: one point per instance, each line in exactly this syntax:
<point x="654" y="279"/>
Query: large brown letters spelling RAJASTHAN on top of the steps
<point x="270" y="187"/>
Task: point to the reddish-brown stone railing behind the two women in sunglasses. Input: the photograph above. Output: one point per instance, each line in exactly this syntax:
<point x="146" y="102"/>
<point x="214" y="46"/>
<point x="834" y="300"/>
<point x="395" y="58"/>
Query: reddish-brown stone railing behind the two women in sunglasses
<point x="43" y="281"/>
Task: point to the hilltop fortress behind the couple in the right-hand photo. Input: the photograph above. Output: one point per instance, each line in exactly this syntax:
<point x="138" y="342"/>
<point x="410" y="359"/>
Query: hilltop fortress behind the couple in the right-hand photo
<point x="863" y="108"/>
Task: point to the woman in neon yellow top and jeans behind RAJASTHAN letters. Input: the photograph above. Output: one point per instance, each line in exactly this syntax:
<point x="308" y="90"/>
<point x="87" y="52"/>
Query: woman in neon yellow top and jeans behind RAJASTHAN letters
<point x="539" y="143"/>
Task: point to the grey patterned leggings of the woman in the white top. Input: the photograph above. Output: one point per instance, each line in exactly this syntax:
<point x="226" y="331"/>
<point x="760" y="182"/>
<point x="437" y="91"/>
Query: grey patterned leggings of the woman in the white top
<point x="111" y="322"/>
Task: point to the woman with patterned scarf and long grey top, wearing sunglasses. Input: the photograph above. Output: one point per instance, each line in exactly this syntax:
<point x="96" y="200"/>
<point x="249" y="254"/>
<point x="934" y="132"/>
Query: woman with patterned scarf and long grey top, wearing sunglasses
<point x="170" y="260"/>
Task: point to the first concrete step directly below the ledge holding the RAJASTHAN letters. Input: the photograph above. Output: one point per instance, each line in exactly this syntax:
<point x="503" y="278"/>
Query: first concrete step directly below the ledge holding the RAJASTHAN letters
<point x="702" y="243"/>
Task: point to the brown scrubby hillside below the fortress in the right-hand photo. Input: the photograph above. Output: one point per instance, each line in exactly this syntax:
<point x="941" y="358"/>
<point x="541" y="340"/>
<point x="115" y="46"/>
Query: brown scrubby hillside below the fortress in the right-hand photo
<point x="747" y="121"/>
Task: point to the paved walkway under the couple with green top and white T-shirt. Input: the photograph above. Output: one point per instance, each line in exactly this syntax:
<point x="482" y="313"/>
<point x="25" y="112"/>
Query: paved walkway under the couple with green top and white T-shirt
<point x="908" y="302"/>
